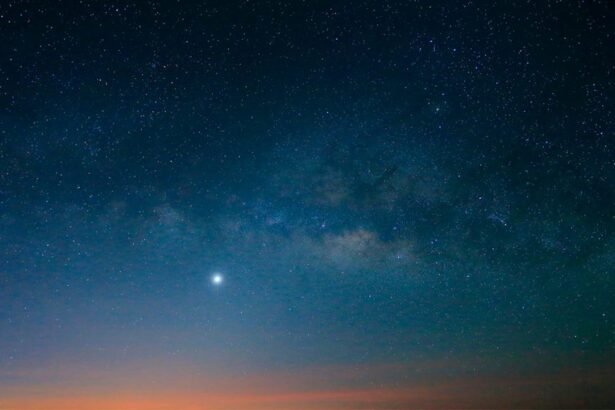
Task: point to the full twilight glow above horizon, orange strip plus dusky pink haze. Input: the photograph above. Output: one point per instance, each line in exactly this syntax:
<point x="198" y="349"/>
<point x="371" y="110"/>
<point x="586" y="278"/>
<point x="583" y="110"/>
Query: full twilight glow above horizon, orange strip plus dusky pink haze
<point x="317" y="388"/>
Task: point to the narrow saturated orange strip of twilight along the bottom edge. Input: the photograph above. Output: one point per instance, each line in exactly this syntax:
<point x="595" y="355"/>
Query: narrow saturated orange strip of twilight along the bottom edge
<point x="466" y="396"/>
